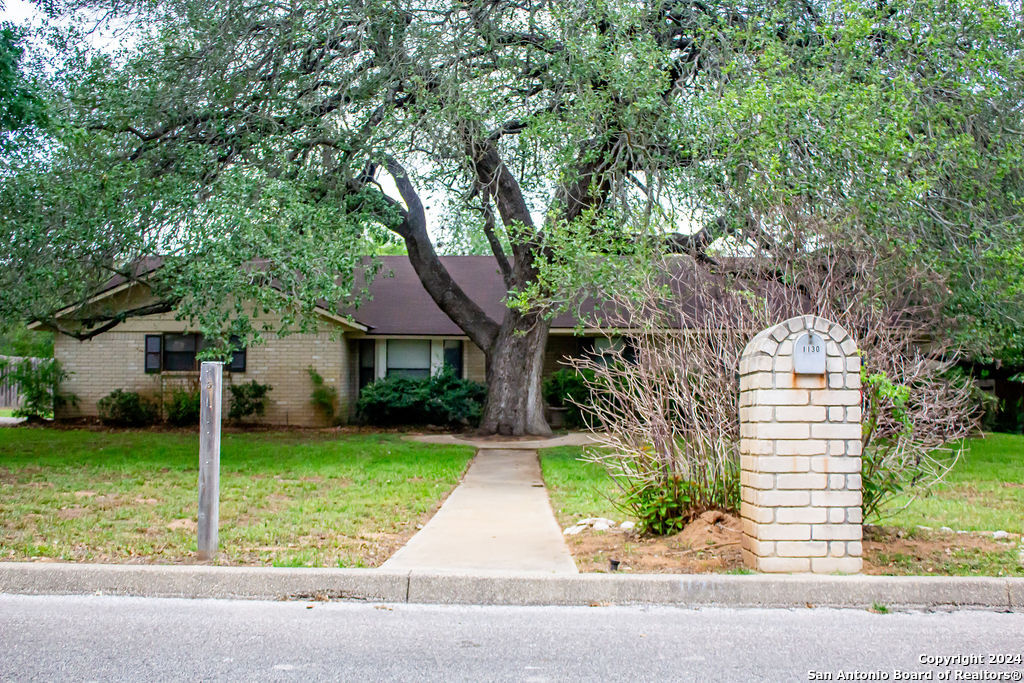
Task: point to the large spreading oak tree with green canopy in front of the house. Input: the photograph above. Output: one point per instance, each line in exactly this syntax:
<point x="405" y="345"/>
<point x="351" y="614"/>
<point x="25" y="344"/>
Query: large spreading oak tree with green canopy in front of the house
<point x="259" y="142"/>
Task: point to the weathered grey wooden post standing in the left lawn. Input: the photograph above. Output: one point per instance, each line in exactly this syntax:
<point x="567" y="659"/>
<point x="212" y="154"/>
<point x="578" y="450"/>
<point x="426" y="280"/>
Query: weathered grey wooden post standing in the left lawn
<point x="209" y="458"/>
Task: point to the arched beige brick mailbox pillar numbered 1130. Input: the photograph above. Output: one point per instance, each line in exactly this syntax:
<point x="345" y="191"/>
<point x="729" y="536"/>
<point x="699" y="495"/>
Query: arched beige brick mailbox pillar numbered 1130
<point x="800" y="449"/>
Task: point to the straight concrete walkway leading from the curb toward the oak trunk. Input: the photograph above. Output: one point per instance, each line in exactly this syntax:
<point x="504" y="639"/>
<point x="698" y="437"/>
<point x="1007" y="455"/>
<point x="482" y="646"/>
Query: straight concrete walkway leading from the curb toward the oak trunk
<point x="499" y="519"/>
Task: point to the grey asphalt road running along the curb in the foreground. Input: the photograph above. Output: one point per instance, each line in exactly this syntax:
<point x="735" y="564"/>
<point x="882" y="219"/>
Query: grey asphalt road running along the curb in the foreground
<point x="116" y="638"/>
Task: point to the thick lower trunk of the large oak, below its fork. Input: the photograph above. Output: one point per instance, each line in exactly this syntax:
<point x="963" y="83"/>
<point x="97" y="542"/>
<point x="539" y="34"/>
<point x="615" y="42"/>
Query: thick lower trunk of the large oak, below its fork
<point x="516" y="360"/>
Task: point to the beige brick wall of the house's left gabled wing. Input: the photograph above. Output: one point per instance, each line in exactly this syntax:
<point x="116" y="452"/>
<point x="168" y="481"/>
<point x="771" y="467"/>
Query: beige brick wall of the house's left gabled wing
<point x="115" y="361"/>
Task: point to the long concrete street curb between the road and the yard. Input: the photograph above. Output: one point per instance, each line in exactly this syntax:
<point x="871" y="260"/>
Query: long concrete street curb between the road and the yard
<point x="514" y="588"/>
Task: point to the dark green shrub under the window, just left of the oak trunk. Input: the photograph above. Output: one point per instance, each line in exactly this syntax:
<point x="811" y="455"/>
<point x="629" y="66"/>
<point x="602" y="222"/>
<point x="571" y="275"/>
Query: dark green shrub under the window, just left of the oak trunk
<point x="443" y="400"/>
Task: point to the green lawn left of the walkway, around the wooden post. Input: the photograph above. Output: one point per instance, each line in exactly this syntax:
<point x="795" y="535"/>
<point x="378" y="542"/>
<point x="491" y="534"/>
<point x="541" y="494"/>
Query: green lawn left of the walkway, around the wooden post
<point x="292" y="499"/>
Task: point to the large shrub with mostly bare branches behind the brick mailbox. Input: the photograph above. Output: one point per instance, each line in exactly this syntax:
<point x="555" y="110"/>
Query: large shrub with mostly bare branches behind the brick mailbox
<point x="666" y="392"/>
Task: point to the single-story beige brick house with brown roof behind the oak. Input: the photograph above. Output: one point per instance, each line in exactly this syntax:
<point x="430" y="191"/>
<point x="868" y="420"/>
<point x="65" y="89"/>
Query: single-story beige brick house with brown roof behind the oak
<point x="399" y="330"/>
